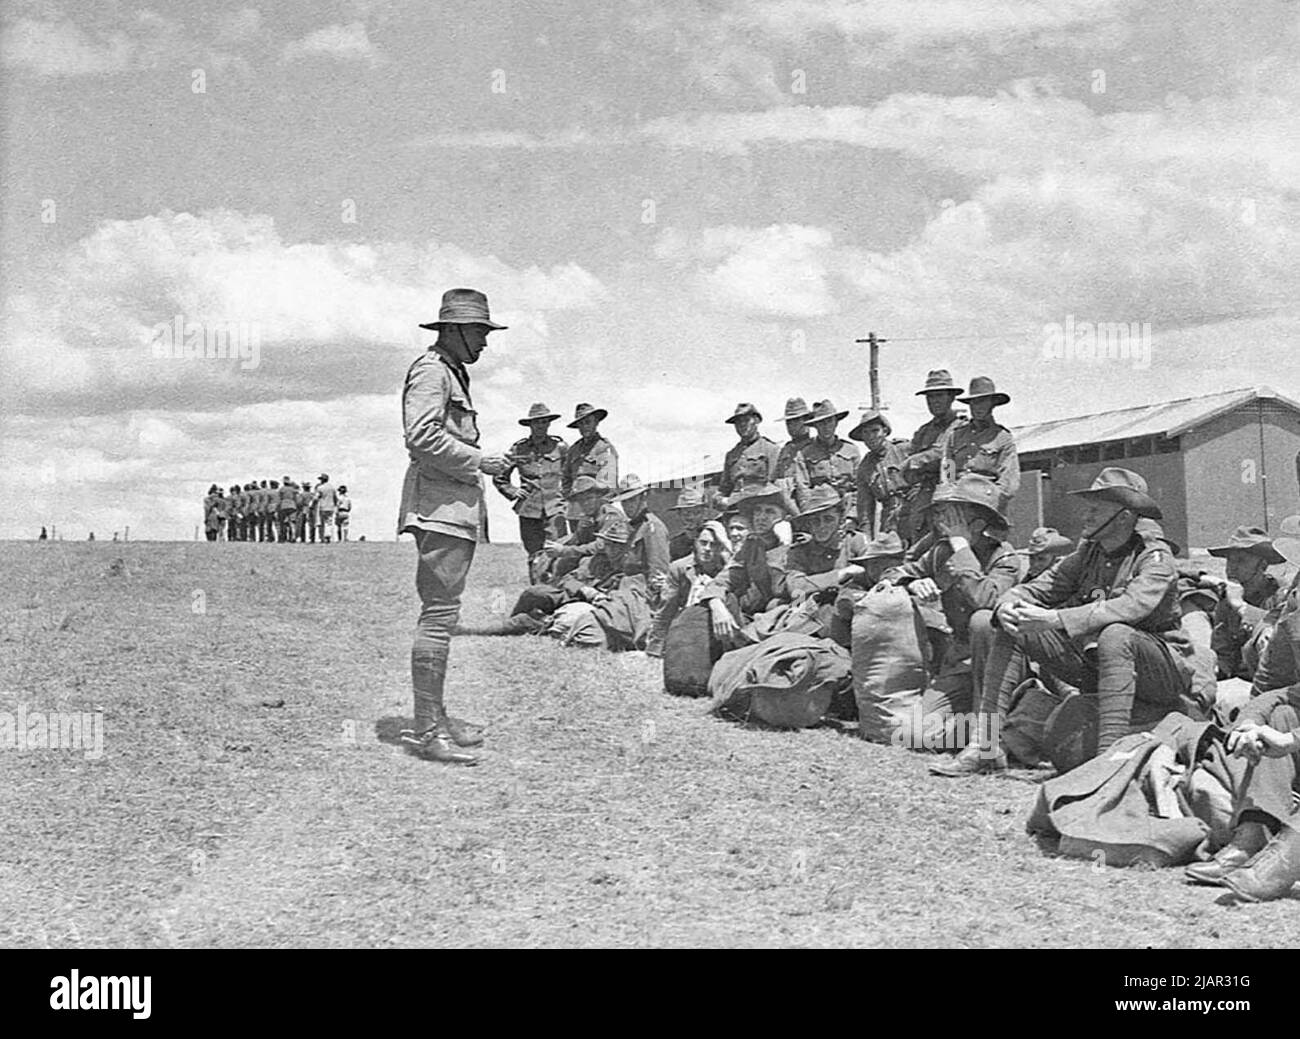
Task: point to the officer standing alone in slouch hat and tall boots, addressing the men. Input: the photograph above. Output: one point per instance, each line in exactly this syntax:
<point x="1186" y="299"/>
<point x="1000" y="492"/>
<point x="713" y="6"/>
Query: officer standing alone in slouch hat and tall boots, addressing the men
<point x="443" y="504"/>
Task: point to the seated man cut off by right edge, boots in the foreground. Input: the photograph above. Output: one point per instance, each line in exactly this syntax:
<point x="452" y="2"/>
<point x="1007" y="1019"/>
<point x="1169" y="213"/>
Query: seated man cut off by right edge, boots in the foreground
<point x="1263" y="860"/>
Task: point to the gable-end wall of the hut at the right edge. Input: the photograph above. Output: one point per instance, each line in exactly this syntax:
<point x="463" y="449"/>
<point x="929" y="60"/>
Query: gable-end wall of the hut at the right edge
<point x="1229" y="479"/>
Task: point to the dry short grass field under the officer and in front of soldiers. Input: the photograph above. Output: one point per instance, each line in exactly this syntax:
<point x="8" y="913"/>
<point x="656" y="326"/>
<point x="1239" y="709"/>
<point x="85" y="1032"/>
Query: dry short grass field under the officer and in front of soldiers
<point x="249" y="794"/>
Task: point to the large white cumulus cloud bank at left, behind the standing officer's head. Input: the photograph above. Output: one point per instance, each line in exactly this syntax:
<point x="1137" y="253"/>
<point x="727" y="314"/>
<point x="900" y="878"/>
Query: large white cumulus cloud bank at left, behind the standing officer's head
<point x="331" y="318"/>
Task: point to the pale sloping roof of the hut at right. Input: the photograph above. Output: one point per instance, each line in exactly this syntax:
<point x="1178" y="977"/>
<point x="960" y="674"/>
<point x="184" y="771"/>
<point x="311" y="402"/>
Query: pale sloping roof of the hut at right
<point x="1172" y="418"/>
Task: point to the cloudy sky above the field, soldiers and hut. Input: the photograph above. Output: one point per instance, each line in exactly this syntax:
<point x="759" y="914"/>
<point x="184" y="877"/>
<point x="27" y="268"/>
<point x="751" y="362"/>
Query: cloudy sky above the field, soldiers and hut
<point x="674" y="206"/>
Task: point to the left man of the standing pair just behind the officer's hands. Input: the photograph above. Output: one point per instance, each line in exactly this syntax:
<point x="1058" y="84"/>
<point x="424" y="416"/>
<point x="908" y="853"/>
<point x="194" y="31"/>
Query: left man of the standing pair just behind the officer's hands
<point x="539" y="501"/>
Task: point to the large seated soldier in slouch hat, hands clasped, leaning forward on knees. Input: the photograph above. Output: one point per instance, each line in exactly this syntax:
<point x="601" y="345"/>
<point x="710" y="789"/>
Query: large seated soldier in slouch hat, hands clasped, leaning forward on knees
<point x="1104" y="620"/>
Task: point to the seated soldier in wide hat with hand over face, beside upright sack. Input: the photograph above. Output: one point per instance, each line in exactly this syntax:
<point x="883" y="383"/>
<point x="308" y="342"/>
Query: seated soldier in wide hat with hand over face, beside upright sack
<point x="967" y="569"/>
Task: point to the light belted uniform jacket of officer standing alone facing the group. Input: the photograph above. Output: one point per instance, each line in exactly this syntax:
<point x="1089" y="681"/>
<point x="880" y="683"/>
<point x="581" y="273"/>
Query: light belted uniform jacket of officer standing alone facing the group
<point x="443" y="491"/>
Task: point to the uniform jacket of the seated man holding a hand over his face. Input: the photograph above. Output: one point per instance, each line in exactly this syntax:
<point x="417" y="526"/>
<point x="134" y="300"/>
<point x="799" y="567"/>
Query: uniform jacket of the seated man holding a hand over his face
<point x="972" y="578"/>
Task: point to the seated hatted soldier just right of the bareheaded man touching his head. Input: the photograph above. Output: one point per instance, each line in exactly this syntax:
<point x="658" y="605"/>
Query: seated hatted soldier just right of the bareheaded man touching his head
<point x="755" y="579"/>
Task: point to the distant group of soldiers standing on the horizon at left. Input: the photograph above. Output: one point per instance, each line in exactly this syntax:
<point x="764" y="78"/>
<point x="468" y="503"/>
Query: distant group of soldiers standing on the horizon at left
<point x="278" y="510"/>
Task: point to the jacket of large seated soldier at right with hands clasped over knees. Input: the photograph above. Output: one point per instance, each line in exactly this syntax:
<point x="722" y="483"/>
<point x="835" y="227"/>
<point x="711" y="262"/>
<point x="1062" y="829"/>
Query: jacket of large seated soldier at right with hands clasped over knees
<point x="1137" y="586"/>
